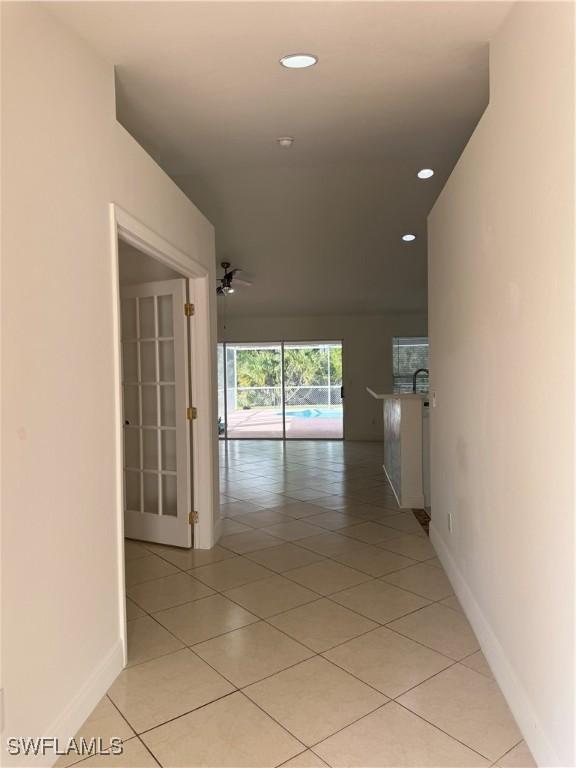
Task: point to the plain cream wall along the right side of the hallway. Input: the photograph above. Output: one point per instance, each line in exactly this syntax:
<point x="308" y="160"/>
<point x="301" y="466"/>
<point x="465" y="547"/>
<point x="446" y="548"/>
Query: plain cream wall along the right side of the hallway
<point x="501" y="320"/>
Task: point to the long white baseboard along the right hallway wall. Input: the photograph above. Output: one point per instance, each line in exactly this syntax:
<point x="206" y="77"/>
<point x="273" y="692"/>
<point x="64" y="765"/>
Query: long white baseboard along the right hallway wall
<point x="512" y="688"/>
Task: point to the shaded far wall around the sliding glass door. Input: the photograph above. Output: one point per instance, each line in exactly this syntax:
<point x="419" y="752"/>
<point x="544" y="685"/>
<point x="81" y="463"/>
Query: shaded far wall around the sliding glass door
<point x="366" y="351"/>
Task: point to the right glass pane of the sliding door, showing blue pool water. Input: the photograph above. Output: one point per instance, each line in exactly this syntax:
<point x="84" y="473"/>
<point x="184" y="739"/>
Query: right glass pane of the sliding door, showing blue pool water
<point x="312" y="387"/>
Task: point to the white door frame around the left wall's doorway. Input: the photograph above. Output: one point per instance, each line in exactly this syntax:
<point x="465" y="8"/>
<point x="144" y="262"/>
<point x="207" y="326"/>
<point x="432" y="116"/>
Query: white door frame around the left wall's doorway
<point x="126" y="227"/>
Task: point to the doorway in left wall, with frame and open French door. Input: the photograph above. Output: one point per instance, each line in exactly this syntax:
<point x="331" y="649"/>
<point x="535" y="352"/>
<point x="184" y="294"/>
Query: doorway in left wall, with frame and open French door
<point x="164" y="356"/>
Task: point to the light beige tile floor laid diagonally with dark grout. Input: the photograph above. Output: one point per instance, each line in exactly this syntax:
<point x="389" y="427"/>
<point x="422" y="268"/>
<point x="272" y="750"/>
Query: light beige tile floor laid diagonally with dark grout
<point x="321" y="630"/>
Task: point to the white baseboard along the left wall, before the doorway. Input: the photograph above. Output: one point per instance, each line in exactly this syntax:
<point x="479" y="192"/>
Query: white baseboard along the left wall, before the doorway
<point x="80" y="706"/>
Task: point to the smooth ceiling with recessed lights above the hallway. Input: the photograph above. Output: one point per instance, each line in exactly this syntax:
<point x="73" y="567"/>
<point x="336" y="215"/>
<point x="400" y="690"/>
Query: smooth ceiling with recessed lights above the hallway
<point x="398" y="86"/>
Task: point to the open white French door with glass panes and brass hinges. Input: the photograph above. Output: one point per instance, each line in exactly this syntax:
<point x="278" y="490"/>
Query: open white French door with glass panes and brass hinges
<point x="157" y="434"/>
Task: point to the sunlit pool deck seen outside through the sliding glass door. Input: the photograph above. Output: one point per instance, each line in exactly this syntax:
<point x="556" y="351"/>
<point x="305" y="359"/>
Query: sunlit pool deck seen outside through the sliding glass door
<point x="267" y="423"/>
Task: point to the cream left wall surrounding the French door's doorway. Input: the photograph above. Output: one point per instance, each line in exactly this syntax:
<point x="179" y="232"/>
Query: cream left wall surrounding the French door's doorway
<point x="65" y="159"/>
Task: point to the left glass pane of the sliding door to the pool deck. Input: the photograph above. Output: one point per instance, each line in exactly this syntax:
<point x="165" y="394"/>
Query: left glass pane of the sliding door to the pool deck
<point x="254" y="390"/>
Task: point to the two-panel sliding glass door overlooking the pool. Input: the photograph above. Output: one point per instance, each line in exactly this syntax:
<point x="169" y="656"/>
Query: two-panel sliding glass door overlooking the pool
<point x="280" y="390"/>
